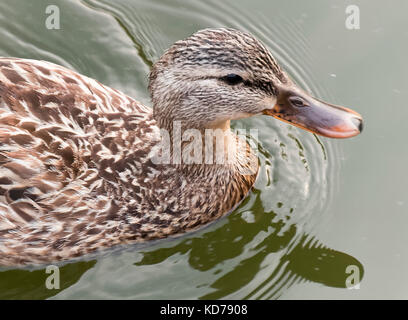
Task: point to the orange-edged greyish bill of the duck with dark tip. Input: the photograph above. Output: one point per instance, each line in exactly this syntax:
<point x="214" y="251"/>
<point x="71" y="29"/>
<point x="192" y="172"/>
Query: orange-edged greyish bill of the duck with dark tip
<point x="302" y="110"/>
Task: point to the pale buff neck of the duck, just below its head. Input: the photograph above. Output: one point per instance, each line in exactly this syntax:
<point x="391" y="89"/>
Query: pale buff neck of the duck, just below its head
<point x="205" y="149"/>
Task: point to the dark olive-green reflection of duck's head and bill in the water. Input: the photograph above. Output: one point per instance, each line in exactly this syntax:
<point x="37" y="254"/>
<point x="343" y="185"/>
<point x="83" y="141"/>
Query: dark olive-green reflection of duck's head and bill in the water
<point x="299" y="257"/>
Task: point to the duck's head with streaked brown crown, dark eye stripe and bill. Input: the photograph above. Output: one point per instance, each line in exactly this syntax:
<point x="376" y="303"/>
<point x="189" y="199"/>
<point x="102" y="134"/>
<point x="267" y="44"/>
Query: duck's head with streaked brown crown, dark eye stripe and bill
<point x="218" y="75"/>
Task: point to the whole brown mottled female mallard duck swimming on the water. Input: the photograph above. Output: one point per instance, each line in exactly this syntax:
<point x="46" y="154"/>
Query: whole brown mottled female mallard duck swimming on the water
<point x="81" y="164"/>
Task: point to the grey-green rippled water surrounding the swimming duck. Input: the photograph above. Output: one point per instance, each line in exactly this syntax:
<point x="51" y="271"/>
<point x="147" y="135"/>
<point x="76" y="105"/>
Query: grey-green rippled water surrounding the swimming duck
<point x="318" y="206"/>
